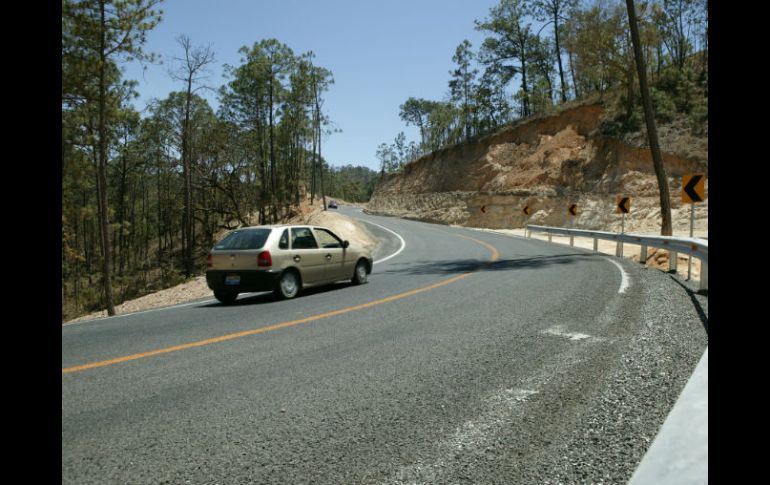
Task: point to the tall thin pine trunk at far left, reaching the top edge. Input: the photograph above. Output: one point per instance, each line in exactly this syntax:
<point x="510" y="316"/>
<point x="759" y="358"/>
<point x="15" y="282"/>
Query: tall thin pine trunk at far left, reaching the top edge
<point x="102" y="169"/>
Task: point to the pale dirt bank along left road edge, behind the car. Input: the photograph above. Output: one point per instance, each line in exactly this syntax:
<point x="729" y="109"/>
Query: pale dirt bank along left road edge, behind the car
<point x="196" y="288"/>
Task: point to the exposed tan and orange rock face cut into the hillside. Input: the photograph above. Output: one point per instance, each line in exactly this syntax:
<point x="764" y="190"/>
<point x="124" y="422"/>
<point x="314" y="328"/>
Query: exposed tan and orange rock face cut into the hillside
<point x="547" y="164"/>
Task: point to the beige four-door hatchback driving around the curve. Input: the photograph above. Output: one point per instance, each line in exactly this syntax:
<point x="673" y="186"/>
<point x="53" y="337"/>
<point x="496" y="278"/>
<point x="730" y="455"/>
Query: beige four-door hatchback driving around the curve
<point x="283" y="259"/>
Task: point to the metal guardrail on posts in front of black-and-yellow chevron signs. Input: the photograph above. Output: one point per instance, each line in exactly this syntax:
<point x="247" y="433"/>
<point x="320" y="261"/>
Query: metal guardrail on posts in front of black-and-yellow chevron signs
<point x="695" y="247"/>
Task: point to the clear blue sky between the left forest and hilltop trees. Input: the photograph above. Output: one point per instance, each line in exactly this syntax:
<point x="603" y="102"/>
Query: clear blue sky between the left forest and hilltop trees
<point x="380" y="53"/>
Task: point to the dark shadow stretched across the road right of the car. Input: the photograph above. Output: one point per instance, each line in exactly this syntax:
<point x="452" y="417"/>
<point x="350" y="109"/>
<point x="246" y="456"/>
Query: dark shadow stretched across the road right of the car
<point x="456" y="266"/>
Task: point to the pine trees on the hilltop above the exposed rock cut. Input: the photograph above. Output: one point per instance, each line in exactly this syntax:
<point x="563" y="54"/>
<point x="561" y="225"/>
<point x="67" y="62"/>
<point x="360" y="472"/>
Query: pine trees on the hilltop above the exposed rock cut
<point x="539" y="54"/>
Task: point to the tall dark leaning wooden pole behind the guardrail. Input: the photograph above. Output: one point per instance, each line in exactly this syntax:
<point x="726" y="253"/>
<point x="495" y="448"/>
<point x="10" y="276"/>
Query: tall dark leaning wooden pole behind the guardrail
<point x="657" y="158"/>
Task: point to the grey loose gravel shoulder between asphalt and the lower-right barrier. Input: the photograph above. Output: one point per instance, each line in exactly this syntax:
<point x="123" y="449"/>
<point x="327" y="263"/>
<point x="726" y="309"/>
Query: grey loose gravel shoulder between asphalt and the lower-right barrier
<point x="613" y="434"/>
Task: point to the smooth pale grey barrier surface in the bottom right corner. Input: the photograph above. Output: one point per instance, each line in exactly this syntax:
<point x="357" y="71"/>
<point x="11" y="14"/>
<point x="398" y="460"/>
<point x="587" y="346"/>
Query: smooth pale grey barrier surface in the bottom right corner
<point x="679" y="454"/>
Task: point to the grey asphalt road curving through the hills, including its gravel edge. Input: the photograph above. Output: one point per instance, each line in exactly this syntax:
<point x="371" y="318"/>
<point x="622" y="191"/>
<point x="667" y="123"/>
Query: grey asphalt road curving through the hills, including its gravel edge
<point x="469" y="357"/>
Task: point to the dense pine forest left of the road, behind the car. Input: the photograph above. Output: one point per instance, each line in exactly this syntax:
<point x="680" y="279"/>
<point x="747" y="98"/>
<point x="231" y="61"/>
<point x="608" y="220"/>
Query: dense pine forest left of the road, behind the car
<point x="143" y="197"/>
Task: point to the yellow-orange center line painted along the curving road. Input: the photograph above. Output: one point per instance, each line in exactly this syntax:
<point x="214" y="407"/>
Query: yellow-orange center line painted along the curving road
<point x="224" y="338"/>
